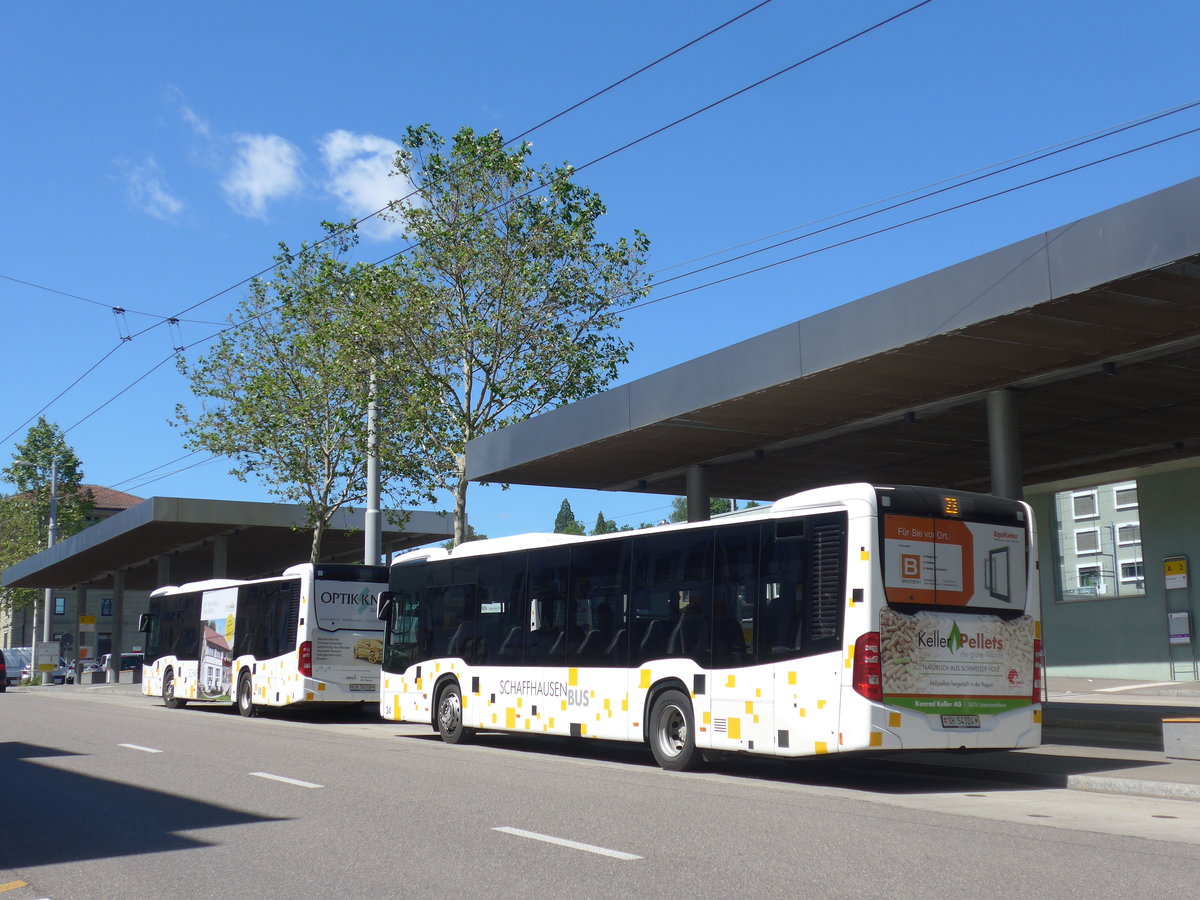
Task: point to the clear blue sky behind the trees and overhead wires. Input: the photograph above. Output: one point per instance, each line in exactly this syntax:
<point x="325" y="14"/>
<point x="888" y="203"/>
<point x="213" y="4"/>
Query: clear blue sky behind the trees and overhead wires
<point x="155" y="154"/>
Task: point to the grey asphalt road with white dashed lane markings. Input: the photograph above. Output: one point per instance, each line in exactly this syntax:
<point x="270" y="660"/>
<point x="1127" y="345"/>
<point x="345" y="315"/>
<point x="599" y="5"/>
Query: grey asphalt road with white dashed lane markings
<point x="113" y="796"/>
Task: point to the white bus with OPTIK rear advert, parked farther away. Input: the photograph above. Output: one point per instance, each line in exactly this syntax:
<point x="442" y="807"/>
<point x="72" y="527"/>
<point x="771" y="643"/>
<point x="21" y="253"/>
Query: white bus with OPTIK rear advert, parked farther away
<point x="307" y="637"/>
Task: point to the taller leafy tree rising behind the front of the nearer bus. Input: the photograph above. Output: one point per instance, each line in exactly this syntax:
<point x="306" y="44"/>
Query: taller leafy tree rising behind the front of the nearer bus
<point x="508" y="303"/>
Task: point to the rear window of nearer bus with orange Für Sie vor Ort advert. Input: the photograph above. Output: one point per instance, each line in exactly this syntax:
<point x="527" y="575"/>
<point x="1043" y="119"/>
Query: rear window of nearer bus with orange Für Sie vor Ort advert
<point x="943" y="562"/>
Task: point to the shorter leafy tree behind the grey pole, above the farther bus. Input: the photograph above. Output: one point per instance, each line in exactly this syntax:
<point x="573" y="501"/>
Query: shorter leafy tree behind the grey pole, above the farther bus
<point x="284" y="392"/>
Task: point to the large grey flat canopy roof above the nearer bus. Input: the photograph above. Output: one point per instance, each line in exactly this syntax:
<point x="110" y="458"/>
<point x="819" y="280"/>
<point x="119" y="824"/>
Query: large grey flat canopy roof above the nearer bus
<point x="1094" y="328"/>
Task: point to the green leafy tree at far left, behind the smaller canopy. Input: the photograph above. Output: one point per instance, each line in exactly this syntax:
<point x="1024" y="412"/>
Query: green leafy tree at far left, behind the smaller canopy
<point x="43" y="464"/>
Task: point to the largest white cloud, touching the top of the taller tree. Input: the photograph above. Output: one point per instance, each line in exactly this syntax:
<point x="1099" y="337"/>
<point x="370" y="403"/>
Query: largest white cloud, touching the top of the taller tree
<point x="359" y="167"/>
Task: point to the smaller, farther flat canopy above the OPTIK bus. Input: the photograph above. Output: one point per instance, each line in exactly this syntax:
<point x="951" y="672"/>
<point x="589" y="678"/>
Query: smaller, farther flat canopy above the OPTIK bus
<point x="201" y="538"/>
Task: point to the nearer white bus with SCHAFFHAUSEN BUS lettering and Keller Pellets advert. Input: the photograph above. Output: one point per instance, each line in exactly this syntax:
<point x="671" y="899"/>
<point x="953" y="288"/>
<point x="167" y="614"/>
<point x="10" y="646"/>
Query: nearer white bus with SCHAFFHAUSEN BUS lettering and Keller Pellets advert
<point x="841" y="619"/>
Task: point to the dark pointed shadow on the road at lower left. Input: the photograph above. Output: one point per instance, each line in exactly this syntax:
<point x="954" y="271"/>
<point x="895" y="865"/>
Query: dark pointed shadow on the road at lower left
<point x="41" y="801"/>
